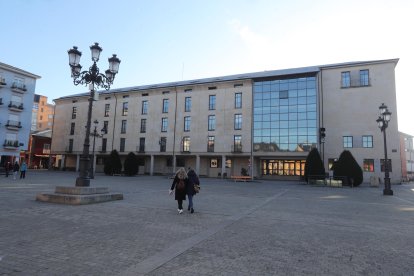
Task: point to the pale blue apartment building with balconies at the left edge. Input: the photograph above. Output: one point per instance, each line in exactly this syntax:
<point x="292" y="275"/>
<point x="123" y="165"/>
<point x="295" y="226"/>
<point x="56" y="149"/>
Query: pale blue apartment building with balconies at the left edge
<point x="17" y="89"/>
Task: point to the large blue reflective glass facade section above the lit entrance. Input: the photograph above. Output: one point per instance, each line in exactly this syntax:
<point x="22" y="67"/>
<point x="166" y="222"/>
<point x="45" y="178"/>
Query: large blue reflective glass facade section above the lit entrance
<point x="285" y="115"/>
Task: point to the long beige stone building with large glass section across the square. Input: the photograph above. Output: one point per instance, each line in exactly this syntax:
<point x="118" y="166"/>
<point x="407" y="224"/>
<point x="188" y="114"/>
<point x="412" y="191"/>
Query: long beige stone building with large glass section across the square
<point x="264" y="122"/>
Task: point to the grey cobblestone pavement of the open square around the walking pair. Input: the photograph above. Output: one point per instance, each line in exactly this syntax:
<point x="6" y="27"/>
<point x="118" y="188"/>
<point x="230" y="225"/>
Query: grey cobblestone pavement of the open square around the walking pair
<point x="252" y="228"/>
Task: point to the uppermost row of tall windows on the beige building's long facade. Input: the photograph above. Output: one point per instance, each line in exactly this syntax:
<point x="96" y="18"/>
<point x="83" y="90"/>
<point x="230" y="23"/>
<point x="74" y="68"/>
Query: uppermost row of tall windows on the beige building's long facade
<point x="165" y="105"/>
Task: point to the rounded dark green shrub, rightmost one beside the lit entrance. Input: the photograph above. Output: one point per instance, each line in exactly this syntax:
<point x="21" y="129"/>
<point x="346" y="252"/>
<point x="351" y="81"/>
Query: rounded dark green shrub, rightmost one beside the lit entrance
<point x="348" y="170"/>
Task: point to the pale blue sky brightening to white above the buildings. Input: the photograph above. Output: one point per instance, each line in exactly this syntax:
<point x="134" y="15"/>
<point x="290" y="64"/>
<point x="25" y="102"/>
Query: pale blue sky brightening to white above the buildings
<point x="166" y="41"/>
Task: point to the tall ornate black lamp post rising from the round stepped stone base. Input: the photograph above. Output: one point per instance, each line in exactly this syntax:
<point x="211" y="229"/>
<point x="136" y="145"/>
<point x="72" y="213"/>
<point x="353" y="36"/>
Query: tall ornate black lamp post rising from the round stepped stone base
<point x="94" y="79"/>
